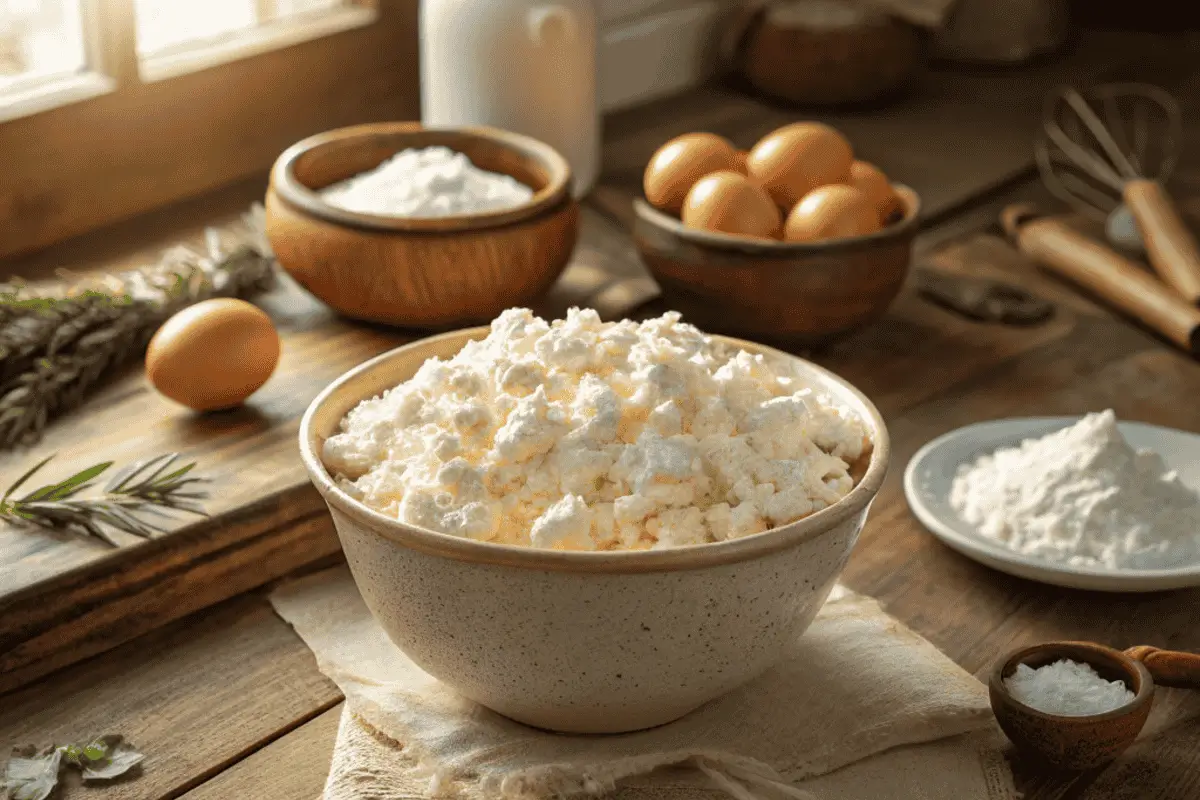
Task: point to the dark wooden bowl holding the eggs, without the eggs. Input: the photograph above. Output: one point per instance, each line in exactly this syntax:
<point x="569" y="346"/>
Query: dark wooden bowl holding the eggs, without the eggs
<point x="785" y="292"/>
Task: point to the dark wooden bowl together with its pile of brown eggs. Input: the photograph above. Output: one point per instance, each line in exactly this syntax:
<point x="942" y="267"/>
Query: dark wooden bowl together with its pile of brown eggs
<point x="794" y="240"/>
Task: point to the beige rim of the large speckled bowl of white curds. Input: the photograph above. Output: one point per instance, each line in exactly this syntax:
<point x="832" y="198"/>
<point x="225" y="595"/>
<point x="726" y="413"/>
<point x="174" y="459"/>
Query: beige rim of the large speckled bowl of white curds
<point x="620" y="562"/>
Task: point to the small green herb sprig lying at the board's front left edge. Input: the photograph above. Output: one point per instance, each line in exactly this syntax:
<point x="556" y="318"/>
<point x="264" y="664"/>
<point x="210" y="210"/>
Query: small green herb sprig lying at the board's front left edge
<point x="131" y="500"/>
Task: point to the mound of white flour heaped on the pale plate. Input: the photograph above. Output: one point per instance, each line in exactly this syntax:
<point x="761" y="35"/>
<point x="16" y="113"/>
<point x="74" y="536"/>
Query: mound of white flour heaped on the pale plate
<point x="1083" y="497"/>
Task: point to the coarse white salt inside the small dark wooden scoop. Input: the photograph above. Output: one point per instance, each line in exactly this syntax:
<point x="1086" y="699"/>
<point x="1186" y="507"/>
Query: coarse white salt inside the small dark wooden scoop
<point x="1067" y="689"/>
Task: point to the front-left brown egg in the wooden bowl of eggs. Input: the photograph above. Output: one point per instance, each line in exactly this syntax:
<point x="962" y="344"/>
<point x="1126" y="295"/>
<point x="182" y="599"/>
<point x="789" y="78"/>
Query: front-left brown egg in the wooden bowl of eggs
<point x="731" y="203"/>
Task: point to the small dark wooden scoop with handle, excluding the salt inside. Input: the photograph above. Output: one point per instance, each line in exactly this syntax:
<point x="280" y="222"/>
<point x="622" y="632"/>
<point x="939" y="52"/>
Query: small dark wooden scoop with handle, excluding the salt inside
<point x="1082" y="743"/>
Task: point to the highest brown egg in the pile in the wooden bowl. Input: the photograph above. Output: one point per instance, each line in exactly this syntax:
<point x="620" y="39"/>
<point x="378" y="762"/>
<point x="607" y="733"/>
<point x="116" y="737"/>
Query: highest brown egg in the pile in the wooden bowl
<point x="797" y="159"/>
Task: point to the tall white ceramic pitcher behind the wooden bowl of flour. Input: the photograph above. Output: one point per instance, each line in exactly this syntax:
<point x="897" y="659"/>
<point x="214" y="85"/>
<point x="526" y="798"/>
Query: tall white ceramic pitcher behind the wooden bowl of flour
<point x="527" y="67"/>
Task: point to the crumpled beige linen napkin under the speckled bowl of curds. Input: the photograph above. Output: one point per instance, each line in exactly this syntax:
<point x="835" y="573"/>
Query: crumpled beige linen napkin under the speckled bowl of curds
<point x="856" y="685"/>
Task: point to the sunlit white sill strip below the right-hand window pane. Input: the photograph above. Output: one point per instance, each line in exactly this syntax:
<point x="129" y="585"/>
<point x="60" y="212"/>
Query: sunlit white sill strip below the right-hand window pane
<point x="244" y="45"/>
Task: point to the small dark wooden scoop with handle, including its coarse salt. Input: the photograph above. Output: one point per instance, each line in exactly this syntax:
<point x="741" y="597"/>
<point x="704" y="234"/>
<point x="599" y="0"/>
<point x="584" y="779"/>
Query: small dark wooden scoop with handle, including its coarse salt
<point x="1077" y="706"/>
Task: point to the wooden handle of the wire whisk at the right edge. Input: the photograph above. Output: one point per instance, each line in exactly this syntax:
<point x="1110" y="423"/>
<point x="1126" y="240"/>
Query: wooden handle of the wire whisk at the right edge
<point x="1171" y="246"/>
